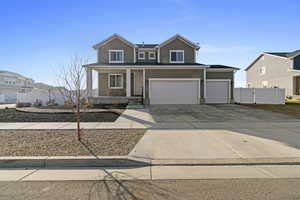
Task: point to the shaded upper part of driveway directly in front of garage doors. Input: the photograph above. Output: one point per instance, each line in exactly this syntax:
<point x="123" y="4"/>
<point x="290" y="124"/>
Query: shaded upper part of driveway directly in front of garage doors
<point x="213" y="113"/>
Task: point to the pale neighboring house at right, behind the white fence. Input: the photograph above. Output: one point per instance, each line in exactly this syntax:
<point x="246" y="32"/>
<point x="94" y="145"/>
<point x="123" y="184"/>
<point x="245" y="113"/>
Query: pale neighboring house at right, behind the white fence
<point x="276" y="69"/>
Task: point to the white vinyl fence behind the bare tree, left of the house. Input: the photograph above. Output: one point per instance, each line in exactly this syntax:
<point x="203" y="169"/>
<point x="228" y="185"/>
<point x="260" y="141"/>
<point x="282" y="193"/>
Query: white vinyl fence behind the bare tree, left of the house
<point x="42" y="95"/>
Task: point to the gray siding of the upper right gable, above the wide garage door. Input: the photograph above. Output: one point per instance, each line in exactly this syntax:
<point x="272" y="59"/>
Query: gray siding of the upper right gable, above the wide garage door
<point x="177" y="44"/>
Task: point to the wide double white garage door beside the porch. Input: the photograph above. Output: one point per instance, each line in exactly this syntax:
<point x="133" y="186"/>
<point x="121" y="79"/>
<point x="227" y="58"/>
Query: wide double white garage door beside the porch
<point x="174" y="91"/>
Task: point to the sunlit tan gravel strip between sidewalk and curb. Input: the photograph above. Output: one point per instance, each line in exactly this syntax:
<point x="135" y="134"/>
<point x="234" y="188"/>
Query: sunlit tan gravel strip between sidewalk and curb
<point x="65" y="143"/>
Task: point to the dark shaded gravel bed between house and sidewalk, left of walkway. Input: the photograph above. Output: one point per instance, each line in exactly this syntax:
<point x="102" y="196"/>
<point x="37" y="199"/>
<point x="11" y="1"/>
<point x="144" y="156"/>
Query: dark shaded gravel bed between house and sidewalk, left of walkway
<point x="13" y="115"/>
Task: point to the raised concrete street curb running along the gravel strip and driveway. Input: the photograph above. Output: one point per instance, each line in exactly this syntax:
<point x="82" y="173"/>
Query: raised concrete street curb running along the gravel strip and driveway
<point x="128" y="161"/>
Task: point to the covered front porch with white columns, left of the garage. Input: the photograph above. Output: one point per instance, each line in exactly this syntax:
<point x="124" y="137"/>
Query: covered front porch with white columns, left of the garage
<point x="117" y="86"/>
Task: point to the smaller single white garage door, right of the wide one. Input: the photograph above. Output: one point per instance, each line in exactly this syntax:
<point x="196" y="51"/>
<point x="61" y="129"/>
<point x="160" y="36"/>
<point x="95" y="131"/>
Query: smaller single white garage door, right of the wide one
<point x="217" y="91"/>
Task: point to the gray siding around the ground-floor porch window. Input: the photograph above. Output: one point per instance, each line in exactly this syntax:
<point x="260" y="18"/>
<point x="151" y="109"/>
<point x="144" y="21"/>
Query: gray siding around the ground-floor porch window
<point x="103" y="86"/>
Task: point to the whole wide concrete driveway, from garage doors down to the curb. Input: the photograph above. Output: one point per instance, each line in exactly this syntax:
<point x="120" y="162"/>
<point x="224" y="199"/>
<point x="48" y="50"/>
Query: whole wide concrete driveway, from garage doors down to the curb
<point x="219" y="132"/>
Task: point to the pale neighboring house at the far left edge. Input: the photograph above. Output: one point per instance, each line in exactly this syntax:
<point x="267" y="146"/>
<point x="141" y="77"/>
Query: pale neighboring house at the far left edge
<point x="11" y="83"/>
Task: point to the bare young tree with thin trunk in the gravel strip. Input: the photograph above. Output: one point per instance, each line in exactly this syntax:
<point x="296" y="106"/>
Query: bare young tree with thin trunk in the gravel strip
<point x="71" y="81"/>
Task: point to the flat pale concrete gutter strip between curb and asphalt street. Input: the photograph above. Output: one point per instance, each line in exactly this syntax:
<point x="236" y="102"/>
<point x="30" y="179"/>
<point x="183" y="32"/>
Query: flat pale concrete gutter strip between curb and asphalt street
<point x="152" y="173"/>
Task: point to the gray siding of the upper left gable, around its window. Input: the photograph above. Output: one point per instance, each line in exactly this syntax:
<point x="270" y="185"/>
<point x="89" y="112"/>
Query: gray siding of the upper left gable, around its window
<point x="115" y="44"/>
